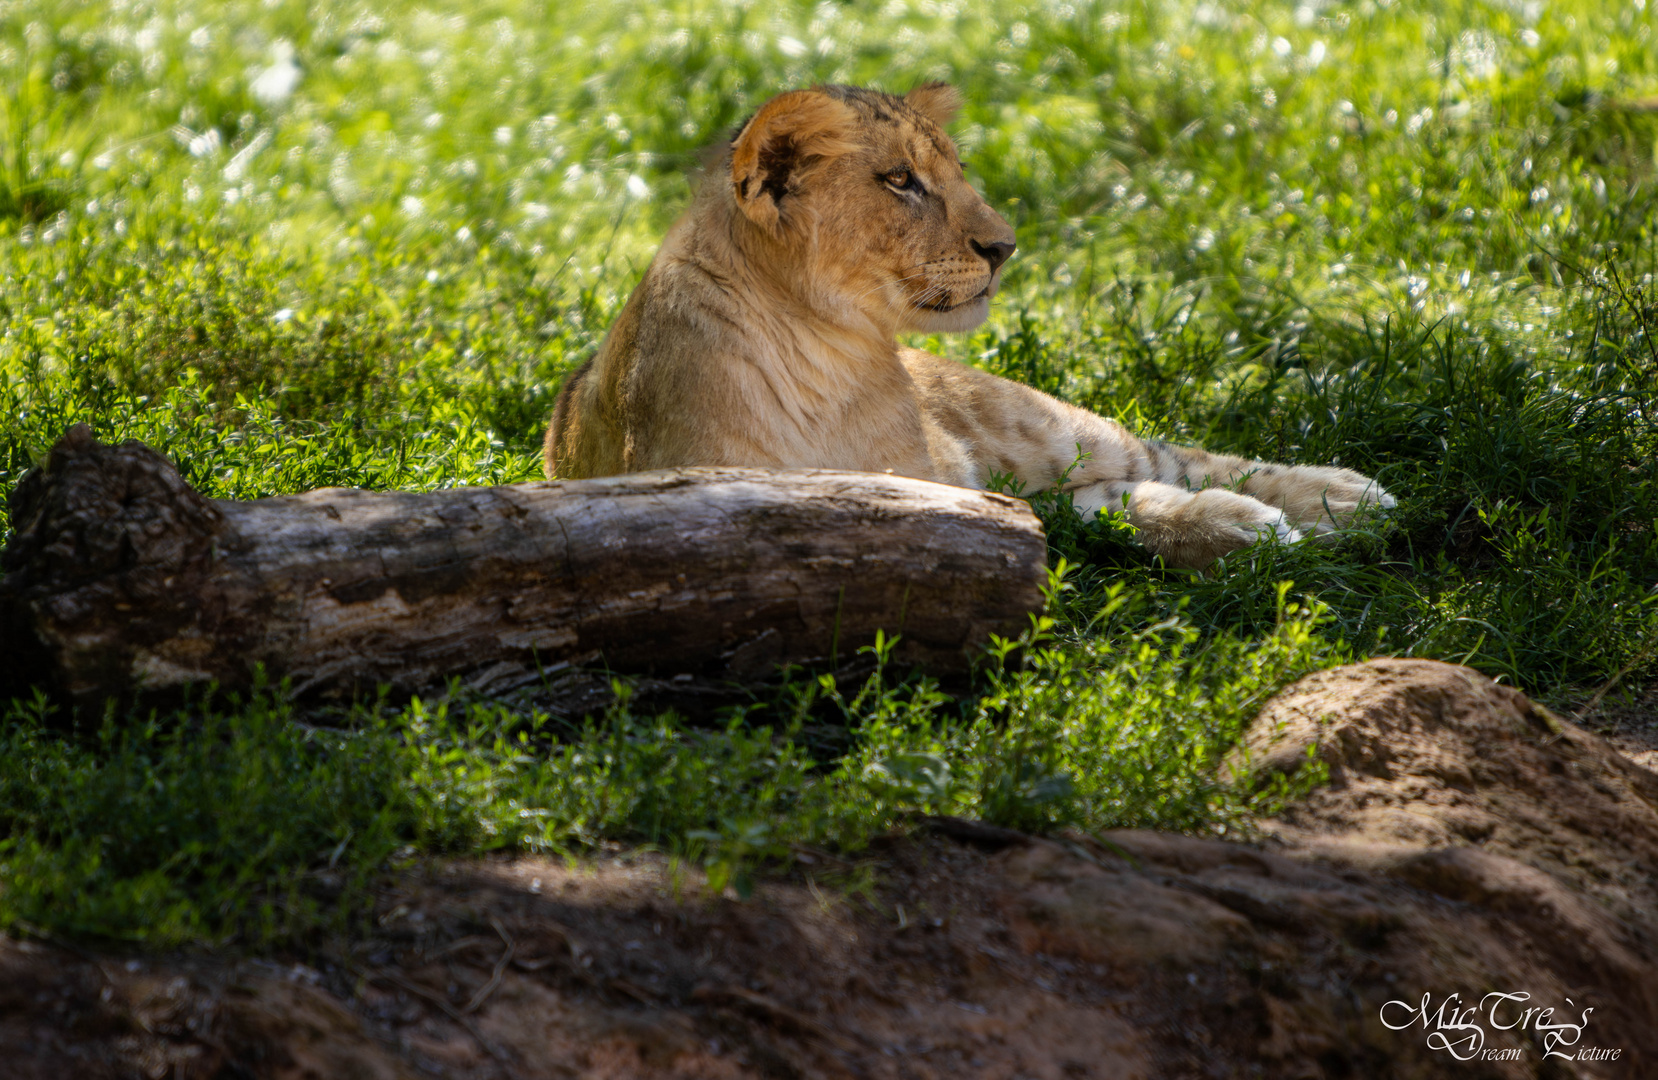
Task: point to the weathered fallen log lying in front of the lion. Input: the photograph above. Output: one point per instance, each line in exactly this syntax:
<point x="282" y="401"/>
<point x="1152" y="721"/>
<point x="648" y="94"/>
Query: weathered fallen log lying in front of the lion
<point x="124" y="580"/>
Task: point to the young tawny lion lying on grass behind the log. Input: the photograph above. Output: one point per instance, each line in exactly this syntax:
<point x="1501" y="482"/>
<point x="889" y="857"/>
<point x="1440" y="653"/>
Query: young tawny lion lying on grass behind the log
<point x="765" y="334"/>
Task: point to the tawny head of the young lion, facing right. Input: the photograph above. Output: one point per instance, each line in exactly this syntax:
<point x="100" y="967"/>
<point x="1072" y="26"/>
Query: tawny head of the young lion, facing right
<point x="865" y="198"/>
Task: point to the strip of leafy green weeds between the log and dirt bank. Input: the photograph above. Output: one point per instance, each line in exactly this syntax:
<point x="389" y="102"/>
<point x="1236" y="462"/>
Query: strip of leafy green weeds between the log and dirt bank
<point x="245" y="824"/>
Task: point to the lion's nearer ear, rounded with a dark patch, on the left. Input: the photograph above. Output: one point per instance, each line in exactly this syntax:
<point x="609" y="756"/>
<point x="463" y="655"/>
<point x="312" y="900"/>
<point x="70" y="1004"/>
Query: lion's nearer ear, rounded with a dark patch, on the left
<point x="777" y="148"/>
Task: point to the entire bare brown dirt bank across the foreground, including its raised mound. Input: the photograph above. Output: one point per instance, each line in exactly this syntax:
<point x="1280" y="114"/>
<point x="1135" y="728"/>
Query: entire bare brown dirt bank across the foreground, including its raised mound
<point x="1470" y="844"/>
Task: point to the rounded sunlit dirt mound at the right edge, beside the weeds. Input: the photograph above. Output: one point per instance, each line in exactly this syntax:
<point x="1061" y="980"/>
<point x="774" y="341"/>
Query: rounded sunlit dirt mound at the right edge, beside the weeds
<point x="1430" y="759"/>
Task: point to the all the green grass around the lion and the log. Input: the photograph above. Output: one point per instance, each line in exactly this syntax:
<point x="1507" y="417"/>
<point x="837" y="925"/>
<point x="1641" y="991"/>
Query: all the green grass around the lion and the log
<point x="1415" y="240"/>
